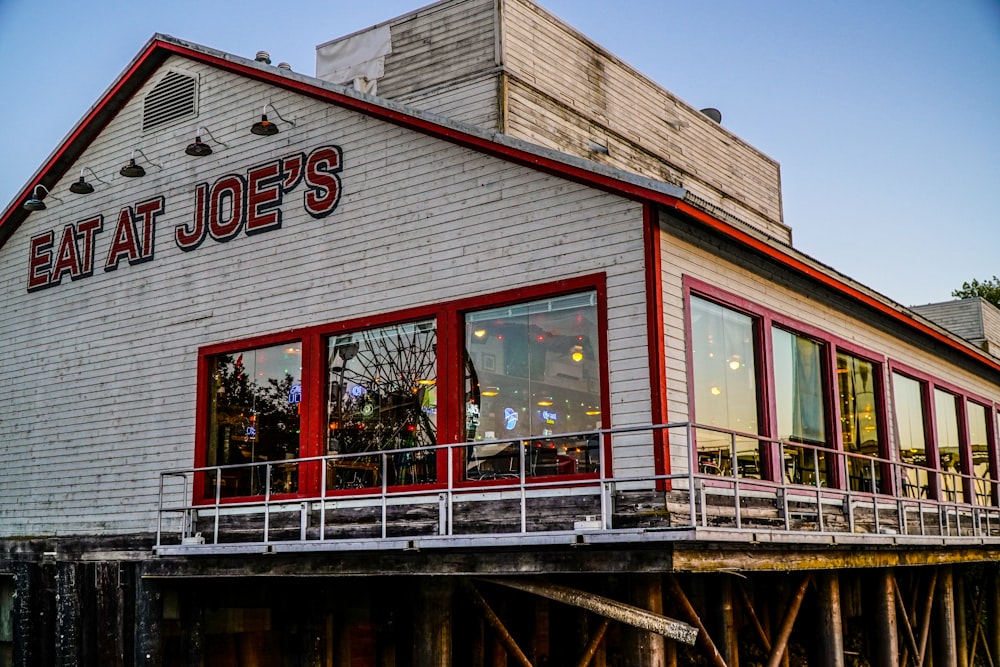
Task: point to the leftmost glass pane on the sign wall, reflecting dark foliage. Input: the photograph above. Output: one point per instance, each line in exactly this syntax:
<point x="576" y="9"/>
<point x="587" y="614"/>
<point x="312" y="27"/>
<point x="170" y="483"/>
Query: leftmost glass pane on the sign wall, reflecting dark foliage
<point x="254" y="417"/>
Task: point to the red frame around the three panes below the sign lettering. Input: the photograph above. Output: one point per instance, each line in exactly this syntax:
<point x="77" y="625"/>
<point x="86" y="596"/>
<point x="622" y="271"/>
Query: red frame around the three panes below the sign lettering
<point x="449" y="318"/>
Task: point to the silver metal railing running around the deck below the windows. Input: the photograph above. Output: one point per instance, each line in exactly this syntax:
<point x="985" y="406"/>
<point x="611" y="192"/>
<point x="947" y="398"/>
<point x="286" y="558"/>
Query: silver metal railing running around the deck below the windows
<point x="734" y="487"/>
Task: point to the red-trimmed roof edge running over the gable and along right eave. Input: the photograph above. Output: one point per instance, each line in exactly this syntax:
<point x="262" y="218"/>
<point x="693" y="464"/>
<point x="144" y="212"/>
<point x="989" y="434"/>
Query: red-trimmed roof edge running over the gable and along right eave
<point x="161" y="47"/>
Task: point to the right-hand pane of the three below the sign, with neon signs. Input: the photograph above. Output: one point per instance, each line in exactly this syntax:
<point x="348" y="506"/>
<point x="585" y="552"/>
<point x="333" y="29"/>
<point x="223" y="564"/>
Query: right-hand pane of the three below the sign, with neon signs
<point x="533" y="369"/>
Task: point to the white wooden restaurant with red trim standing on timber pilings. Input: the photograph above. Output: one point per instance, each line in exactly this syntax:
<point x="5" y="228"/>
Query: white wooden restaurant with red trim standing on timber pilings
<point x="450" y="356"/>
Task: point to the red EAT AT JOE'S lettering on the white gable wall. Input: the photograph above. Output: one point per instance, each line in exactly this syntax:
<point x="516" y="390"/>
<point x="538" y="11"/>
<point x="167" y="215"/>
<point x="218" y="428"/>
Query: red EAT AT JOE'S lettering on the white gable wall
<point x="233" y="204"/>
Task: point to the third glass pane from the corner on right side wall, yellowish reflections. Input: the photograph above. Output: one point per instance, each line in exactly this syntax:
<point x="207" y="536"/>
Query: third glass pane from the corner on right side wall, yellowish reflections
<point x="859" y="419"/>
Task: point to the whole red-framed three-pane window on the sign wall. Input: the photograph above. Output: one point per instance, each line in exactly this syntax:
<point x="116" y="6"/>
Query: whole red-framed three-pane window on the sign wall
<point x="379" y="395"/>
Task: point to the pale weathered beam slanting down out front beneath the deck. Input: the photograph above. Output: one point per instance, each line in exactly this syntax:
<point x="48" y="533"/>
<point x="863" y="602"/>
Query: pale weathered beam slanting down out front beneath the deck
<point x="617" y="611"/>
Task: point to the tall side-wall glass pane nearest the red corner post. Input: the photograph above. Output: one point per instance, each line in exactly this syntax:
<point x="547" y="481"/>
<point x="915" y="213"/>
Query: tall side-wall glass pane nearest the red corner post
<point x="724" y="387"/>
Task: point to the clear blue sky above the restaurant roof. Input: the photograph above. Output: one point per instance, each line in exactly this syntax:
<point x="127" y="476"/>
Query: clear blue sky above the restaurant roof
<point x="885" y="115"/>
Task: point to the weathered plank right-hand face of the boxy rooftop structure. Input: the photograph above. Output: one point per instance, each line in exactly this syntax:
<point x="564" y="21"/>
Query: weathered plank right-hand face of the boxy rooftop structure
<point x="566" y="91"/>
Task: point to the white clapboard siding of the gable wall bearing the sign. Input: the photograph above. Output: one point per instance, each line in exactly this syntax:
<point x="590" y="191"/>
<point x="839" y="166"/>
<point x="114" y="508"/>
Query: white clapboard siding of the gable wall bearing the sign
<point x="98" y="375"/>
